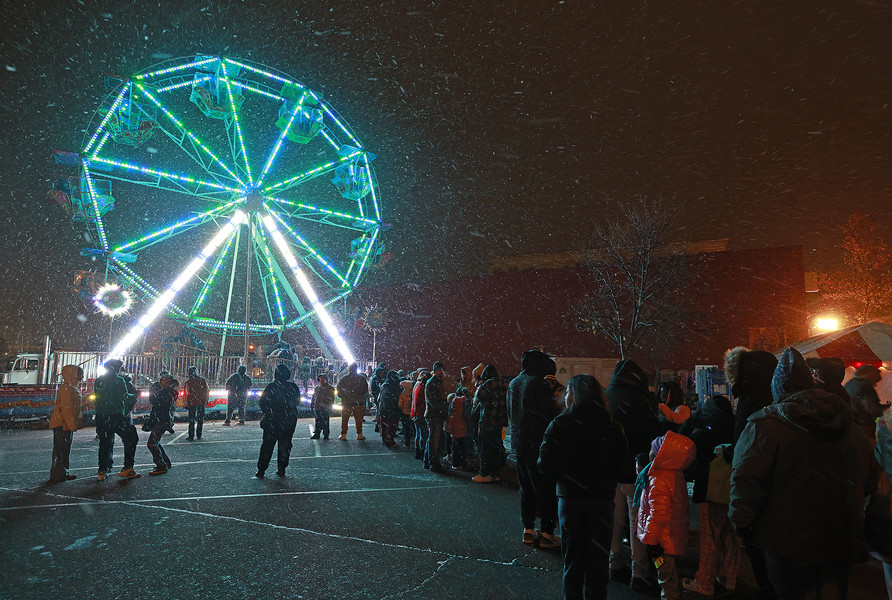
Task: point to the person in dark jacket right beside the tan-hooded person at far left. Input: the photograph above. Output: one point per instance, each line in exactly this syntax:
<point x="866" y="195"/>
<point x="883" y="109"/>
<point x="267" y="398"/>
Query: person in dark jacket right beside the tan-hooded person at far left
<point x="112" y="401"/>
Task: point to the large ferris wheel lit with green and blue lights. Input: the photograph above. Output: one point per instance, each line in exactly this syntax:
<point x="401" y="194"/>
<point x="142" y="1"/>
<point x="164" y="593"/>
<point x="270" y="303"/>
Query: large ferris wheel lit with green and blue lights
<point x="243" y="203"/>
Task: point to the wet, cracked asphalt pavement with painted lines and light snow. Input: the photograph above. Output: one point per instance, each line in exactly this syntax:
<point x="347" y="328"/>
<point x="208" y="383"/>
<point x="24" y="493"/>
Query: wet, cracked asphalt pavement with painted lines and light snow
<point x="350" y="520"/>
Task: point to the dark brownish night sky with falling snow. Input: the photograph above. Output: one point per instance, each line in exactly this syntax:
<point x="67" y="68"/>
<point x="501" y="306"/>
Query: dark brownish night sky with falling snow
<point x="506" y="128"/>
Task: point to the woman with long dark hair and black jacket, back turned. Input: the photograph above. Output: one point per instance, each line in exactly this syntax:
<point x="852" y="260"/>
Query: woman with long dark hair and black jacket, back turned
<point x="585" y="451"/>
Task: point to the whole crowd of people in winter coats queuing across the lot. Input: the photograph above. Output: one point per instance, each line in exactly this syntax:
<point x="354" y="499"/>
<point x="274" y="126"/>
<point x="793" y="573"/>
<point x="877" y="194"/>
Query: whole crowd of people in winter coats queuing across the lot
<point x="784" y="474"/>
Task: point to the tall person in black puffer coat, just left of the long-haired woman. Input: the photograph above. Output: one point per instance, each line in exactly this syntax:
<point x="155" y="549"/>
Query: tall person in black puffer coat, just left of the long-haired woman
<point x="530" y="410"/>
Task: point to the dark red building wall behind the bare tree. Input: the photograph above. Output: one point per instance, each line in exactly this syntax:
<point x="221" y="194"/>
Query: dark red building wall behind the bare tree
<point x="493" y="319"/>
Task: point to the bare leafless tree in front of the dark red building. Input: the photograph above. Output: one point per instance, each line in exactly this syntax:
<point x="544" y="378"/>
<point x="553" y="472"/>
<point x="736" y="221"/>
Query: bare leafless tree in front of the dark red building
<point x="637" y="277"/>
